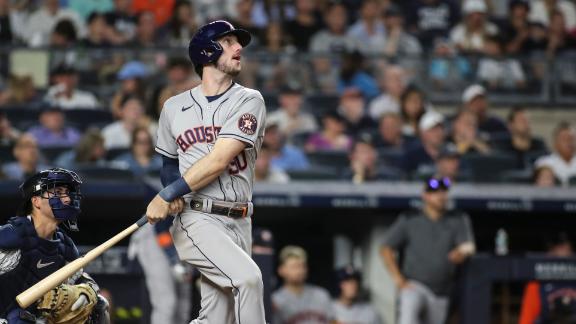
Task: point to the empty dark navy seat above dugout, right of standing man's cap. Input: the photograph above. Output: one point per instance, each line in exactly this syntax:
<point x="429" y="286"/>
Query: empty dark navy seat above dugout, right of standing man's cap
<point x="489" y="168"/>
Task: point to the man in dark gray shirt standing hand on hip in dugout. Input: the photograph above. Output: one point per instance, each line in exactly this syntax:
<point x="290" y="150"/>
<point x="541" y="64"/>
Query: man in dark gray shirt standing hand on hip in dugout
<point x="433" y="240"/>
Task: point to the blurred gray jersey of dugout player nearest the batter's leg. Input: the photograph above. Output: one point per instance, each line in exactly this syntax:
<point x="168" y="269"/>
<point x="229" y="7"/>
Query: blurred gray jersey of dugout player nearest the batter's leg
<point x="312" y="306"/>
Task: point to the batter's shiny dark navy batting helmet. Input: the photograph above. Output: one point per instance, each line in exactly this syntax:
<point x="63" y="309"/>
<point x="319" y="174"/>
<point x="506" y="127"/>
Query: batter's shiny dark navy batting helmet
<point x="204" y="48"/>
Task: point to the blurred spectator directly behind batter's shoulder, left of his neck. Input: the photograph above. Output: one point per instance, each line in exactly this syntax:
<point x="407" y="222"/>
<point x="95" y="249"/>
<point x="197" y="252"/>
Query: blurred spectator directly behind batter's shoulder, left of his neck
<point x="180" y="79"/>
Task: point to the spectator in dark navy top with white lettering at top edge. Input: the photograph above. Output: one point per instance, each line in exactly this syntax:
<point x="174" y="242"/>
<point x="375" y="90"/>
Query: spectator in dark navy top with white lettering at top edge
<point x="431" y="20"/>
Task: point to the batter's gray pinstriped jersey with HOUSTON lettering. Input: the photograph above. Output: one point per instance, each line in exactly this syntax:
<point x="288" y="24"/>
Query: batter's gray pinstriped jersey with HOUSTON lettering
<point x="190" y="125"/>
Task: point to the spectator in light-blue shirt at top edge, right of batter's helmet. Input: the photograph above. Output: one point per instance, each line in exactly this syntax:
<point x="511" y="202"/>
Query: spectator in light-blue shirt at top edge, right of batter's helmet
<point x="369" y="28"/>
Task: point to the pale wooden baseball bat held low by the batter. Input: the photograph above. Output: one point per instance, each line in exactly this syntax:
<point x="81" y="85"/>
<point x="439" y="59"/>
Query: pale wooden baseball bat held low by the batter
<point x="32" y="294"/>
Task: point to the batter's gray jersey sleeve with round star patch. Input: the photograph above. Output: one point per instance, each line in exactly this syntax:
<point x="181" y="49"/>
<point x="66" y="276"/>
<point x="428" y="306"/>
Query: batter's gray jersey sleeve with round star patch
<point x="246" y="123"/>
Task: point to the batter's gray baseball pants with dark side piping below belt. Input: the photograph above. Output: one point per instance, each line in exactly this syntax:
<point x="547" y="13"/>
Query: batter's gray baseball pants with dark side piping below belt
<point x="220" y="248"/>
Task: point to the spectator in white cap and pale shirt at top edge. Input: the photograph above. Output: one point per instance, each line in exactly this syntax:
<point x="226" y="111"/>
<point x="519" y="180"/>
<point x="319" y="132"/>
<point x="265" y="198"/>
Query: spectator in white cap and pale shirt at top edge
<point x="468" y="36"/>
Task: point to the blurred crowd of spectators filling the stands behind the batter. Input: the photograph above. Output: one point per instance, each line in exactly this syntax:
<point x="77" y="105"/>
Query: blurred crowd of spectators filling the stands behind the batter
<point x="355" y="110"/>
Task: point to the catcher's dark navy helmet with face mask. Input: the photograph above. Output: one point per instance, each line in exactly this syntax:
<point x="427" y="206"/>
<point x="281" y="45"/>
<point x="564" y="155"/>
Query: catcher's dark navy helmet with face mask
<point x="45" y="180"/>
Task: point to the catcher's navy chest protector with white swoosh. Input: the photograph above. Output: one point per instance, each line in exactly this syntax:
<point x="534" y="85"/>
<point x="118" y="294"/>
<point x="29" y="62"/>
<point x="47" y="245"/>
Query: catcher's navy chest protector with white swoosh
<point x="38" y="259"/>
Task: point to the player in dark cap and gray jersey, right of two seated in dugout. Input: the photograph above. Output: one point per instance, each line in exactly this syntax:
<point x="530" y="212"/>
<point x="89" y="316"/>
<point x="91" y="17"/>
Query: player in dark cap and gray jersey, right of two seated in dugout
<point x="348" y="305"/>
